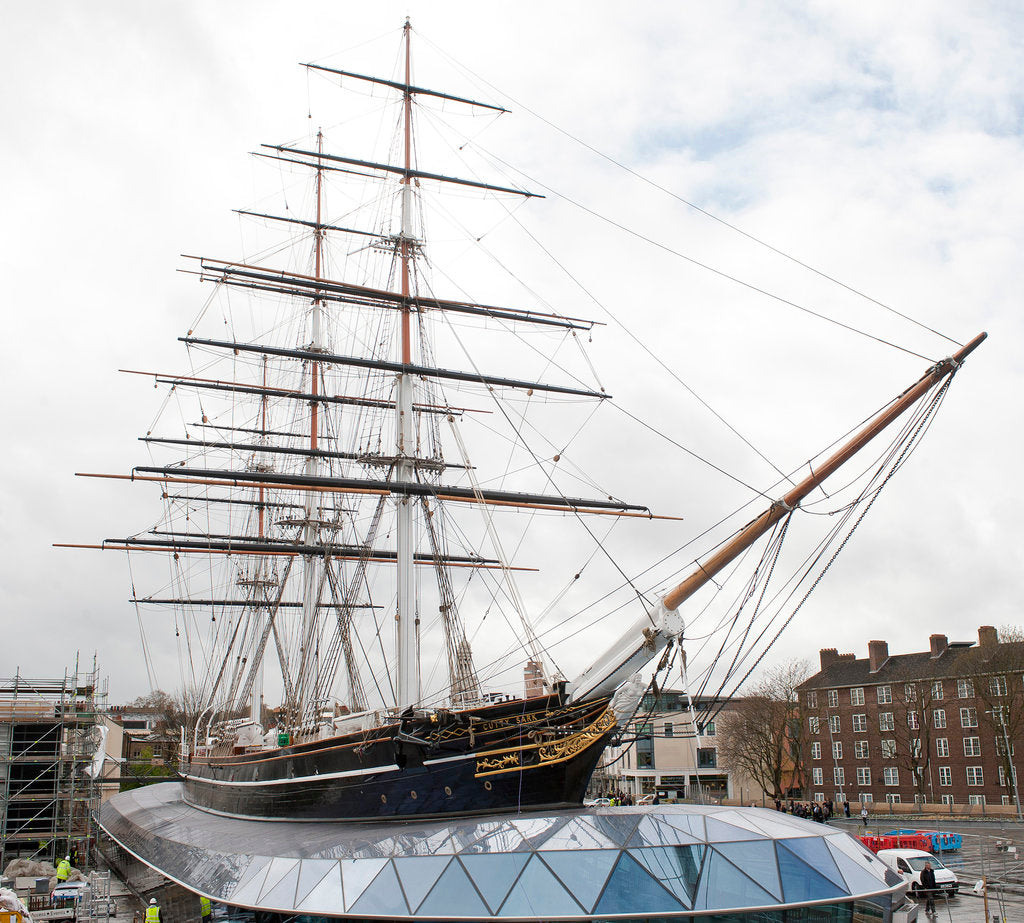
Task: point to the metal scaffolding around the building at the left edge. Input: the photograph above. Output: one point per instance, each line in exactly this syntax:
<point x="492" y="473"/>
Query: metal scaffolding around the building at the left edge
<point x="50" y="735"/>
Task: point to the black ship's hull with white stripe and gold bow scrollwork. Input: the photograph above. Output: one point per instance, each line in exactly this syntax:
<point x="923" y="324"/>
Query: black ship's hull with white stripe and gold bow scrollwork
<point x="537" y="753"/>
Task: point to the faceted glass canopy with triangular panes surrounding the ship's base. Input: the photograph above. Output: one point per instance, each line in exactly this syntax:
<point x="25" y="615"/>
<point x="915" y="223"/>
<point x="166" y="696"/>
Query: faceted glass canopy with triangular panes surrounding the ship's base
<point x="609" y="863"/>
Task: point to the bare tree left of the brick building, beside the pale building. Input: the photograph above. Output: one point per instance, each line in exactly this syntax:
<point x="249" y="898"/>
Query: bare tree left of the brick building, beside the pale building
<point x="763" y="735"/>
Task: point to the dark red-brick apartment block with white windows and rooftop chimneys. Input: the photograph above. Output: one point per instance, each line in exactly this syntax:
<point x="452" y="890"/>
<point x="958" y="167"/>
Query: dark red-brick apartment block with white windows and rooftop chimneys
<point x="935" y="727"/>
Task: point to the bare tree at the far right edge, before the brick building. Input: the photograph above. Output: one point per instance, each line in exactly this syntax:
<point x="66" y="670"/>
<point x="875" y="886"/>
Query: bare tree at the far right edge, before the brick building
<point x="995" y="669"/>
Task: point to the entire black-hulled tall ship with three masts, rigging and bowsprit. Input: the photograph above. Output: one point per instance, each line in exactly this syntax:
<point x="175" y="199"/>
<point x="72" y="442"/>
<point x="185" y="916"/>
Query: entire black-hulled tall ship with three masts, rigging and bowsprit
<point x="330" y="597"/>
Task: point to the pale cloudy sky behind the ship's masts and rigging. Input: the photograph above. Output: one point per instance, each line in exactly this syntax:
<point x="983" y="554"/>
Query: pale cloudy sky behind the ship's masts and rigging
<point x="880" y="145"/>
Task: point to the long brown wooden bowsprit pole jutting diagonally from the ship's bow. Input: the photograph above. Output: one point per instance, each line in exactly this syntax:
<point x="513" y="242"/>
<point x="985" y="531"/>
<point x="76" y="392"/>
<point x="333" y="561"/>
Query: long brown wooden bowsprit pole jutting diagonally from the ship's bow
<point x="753" y="531"/>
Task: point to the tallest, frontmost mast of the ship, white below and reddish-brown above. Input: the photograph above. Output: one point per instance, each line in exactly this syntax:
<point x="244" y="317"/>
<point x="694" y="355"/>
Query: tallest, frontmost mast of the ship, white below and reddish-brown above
<point x="407" y="626"/>
